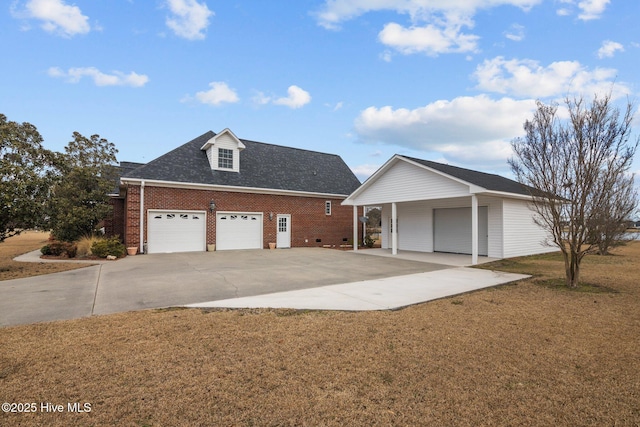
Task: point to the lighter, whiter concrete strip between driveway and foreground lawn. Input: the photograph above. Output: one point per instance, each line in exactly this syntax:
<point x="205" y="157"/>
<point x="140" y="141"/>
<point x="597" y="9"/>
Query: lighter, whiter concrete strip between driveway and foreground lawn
<point x="380" y="294"/>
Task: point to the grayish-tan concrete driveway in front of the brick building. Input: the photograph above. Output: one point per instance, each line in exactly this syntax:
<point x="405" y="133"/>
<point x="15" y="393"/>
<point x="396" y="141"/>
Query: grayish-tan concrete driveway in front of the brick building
<point x="162" y="280"/>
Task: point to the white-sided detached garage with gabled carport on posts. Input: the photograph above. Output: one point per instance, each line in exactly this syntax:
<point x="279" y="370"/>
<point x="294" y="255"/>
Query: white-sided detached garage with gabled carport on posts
<point x="432" y="207"/>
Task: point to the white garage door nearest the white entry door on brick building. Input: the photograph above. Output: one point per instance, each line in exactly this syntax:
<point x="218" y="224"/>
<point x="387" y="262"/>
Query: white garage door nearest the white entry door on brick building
<point x="238" y="230"/>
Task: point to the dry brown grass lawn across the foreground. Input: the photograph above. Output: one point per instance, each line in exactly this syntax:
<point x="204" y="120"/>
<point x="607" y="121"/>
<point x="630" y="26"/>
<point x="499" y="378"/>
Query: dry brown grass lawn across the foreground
<point x="518" y="355"/>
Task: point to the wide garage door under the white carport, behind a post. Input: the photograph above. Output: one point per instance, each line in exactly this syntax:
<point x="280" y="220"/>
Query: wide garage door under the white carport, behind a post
<point x="452" y="230"/>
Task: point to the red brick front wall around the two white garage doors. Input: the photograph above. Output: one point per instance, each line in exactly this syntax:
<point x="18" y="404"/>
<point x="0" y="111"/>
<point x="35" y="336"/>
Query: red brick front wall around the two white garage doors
<point x="308" y="220"/>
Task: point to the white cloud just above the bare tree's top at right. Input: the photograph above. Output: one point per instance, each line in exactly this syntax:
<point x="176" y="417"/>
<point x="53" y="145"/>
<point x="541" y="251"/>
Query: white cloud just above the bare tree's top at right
<point x="527" y="78"/>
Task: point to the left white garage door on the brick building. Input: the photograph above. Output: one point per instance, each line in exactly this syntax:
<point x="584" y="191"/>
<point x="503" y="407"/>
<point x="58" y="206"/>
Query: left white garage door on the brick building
<point x="176" y="231"/>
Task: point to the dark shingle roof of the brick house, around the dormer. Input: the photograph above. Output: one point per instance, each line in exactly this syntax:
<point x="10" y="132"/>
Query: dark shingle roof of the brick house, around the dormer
<point x="262" y="165"/>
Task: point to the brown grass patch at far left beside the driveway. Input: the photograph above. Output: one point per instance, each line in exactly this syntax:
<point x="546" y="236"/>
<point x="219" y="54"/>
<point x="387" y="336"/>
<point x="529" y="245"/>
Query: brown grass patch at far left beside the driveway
<point x="21" y="244"/>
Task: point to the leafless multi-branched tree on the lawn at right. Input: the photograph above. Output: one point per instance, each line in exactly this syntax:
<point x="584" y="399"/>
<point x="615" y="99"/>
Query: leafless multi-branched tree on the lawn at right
<point x="577" y="167"/>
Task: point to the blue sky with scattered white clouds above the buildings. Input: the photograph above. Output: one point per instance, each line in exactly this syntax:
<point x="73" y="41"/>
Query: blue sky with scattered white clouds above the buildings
<point x="451" y="81"/>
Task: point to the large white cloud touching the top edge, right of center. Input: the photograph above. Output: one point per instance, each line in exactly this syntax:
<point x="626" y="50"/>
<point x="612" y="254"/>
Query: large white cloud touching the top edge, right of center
<point x="436" y="25"/>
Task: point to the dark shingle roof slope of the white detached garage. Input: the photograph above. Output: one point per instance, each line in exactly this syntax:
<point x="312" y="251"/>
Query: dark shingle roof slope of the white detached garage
<point x="489" y="181"/>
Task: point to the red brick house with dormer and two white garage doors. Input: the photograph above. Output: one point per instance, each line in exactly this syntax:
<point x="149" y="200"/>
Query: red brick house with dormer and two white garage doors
<point x="236" y="194"/>
